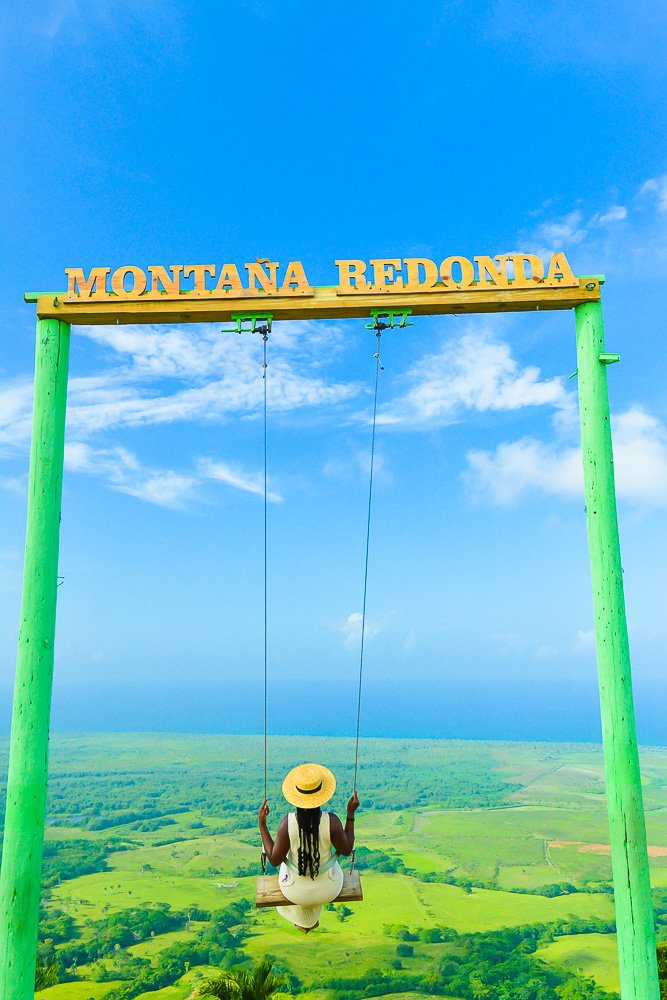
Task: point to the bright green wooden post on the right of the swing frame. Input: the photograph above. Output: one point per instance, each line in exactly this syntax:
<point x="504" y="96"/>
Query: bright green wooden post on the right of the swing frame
<point x="627" y="829"/>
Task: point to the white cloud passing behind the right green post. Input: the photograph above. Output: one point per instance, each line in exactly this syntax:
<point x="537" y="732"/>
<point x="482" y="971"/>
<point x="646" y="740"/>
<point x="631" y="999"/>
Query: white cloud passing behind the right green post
<point x="519" y="467"/>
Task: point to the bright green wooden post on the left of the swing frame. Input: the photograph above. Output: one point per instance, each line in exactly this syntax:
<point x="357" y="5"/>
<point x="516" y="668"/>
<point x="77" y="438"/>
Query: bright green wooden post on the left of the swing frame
<point x="29" y="743"/>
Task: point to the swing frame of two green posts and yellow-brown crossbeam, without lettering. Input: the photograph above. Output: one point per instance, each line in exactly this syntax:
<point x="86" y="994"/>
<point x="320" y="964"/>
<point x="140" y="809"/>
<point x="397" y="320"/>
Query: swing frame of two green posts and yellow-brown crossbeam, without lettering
<point x="28" y="761"/>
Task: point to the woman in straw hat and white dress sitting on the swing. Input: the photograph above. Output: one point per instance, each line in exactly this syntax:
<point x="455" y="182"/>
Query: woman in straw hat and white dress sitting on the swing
<point x="309" y="871"/>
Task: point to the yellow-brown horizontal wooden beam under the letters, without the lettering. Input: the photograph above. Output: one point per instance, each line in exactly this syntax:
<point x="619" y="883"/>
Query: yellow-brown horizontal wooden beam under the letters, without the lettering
<point x="325" y="303"/>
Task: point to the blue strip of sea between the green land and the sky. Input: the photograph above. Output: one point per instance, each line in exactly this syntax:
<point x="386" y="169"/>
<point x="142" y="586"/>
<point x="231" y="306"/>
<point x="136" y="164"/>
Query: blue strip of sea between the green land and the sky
<point x="543" y="711"/>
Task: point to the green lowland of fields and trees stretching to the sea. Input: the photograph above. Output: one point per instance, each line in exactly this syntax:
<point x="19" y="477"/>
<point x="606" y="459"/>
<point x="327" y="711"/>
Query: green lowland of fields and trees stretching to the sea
<point x="464" y="836"/>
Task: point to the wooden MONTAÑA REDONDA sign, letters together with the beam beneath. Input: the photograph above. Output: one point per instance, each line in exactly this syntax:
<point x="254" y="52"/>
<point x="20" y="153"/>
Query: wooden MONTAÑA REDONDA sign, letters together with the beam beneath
<point x="200" y="292"/>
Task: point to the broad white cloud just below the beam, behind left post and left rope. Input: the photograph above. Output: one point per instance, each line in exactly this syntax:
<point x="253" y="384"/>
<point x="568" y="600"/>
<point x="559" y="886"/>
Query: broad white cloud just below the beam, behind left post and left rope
<point x="162" y="375"/>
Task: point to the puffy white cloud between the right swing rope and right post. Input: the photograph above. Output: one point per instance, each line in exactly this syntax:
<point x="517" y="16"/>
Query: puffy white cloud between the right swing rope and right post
<point x="474" y="372"/>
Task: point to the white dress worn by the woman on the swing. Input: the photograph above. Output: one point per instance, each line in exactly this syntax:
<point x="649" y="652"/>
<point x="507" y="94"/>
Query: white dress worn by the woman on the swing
<point x="306" y="893"/>
